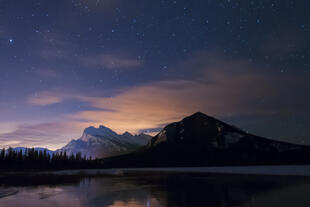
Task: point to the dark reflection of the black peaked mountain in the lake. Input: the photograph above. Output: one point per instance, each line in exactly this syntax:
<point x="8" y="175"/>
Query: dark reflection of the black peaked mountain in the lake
<point x="198" y="190"/>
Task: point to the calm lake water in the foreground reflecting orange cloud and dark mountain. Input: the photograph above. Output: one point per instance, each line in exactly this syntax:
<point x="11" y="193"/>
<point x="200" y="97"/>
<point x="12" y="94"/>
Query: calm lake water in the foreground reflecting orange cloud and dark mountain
<point x="174" y="190"/>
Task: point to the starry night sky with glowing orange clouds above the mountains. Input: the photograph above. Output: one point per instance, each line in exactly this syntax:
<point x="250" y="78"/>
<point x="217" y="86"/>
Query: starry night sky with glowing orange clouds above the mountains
<point x="136" y="65"/>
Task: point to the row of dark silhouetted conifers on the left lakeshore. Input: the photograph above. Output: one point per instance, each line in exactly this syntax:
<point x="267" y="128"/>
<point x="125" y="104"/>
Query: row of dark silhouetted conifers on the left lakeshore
<point x="42" y="159"/>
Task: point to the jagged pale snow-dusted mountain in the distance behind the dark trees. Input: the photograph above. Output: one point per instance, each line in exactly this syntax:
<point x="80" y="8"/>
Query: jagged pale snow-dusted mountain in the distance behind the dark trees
<point x="103" y="142"/>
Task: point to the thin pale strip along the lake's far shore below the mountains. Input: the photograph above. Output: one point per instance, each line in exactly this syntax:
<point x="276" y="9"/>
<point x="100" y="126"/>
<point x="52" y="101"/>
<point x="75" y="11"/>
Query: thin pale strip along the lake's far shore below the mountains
<point x="284" y="170"/>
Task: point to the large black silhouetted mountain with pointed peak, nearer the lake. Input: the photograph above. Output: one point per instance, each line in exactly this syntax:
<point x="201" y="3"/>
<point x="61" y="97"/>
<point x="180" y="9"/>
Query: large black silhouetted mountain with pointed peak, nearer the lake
<point x="201" y="140"/>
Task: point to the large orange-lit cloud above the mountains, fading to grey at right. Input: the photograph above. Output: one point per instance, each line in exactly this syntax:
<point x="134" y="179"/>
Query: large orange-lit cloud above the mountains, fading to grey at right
<point x="221" y="88"/>
